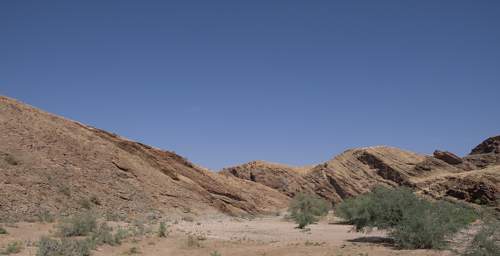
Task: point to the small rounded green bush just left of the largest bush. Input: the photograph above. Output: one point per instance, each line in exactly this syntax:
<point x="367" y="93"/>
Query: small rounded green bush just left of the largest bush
<point x="305" y="209"/>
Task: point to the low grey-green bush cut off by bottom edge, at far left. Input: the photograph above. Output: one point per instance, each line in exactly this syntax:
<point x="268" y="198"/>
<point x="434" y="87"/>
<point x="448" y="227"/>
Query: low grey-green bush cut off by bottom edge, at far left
<point x="64" y="247"/>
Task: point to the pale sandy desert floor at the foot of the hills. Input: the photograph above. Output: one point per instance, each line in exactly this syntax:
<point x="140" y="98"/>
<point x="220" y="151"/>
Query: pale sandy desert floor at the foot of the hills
<point x="270" y="236"/>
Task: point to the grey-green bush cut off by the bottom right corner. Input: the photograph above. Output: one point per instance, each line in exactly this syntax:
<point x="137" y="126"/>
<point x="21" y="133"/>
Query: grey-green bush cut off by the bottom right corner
<point x="487" y="240"/>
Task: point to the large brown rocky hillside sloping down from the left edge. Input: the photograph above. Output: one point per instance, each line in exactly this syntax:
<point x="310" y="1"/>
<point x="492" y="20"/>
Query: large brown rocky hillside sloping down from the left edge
<point x="51" y="164"/>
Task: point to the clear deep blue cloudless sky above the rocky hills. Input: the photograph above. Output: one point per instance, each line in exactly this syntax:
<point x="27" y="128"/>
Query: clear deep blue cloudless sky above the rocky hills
<point x="225" y="82"/>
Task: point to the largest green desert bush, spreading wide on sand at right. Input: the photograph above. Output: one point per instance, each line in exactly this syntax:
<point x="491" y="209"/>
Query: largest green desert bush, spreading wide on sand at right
<point x="412" y="222"/>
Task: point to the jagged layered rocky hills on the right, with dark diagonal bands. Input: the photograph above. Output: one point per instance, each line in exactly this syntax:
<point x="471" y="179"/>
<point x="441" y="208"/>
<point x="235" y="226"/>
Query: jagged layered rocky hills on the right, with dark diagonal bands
<point x="474" y="178"/>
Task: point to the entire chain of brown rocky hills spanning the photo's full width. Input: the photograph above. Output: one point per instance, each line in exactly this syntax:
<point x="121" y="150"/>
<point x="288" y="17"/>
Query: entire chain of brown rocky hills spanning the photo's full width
<point x="49" y="164"/>
